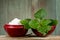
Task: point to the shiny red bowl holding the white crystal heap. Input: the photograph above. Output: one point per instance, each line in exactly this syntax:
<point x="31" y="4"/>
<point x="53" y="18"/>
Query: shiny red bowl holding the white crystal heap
<point x="15" y="30"/>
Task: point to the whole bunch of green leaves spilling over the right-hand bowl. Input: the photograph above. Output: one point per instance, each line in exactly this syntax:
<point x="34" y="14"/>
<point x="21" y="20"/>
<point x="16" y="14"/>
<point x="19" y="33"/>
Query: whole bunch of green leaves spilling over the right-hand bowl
<point x="41" y="24"/>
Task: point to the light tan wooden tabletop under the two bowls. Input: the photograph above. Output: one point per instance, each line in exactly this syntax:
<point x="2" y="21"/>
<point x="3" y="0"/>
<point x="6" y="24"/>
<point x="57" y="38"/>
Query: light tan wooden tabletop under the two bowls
<point x="3" y="37"/>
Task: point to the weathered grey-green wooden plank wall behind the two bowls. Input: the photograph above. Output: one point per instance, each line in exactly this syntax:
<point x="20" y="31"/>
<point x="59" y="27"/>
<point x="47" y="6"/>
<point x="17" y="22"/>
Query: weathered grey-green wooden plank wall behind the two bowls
<point x="10" y="9"/>
